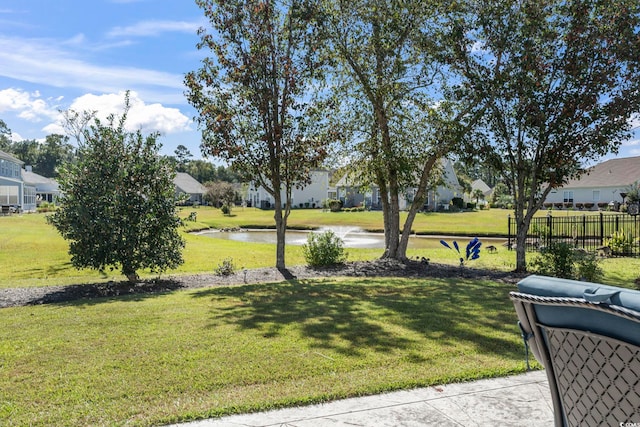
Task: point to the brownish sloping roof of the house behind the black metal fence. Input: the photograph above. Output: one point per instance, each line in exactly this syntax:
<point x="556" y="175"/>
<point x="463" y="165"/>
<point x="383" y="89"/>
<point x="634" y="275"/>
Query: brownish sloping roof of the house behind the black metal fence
<point x="611" y="173"/>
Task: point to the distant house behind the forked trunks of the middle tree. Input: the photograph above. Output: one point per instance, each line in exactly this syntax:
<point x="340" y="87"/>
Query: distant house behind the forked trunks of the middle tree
<point x="351" y="193"/>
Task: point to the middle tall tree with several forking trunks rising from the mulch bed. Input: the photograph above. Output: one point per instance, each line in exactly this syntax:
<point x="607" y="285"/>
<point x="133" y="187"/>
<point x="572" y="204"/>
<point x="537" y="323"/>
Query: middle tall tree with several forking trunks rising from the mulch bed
<point x="386" y="84"/>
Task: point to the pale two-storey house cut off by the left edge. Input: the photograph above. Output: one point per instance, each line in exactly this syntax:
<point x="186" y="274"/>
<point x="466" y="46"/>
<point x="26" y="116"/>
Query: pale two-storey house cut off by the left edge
<point x="14" y="194"/>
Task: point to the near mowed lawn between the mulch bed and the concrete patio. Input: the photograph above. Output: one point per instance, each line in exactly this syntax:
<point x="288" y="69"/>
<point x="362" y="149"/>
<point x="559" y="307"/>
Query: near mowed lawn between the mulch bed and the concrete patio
<point x="150" y="360"/>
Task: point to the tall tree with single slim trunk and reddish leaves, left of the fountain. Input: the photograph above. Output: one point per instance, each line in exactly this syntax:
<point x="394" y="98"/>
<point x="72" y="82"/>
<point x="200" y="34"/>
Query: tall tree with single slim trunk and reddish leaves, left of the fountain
<point x="253" y="95"/>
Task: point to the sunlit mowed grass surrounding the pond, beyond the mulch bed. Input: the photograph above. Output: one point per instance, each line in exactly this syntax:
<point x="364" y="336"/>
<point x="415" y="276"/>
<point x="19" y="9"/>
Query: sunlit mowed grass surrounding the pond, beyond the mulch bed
<point x="32" y="253"/>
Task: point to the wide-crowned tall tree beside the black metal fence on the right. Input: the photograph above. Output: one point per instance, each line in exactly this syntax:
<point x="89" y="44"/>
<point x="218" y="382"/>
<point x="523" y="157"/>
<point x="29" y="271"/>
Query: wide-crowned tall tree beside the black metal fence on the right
<point x="556" y="82"/>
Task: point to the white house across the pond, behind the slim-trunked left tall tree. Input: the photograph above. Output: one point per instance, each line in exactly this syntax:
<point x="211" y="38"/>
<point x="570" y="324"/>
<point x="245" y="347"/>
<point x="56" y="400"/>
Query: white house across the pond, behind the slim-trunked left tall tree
<point x="311" y="195"/>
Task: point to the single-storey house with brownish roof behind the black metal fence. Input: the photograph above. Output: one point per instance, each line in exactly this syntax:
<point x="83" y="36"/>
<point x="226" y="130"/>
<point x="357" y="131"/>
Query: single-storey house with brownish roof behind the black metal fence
<point x="601" y="185"/>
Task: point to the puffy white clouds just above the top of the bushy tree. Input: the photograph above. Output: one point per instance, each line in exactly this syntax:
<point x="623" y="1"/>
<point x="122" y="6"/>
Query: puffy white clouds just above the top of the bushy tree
<point x="146" y="117"/>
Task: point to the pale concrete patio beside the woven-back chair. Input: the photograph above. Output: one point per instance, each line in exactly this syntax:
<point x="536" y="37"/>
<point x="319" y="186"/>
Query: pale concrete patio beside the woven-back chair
<point x="520" y="400"/>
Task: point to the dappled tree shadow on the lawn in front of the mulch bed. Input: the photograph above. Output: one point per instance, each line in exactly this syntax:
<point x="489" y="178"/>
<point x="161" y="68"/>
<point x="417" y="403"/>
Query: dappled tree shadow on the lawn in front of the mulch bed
<point x="350" y="317"/>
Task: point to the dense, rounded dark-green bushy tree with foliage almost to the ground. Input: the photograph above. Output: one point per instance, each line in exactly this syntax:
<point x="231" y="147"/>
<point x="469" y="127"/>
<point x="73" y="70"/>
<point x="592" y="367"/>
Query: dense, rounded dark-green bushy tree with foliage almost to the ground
<point x="117" y="207"/>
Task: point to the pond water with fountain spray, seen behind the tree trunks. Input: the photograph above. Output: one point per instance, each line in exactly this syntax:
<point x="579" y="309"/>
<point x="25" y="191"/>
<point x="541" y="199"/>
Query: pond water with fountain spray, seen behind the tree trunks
<point x="351" y="236"/>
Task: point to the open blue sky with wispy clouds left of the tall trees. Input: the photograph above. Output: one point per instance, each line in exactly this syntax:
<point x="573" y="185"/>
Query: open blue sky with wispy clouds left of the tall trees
<point x="84" y="54"/>
